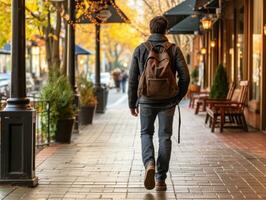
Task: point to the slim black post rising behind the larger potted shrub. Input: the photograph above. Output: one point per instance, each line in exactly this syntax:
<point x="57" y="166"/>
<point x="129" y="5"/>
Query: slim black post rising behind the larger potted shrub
<point x="71" y="56"/>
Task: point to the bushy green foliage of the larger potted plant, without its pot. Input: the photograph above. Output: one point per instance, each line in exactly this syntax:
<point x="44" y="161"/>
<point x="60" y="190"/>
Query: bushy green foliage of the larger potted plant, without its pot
<point x="59" y="93"/>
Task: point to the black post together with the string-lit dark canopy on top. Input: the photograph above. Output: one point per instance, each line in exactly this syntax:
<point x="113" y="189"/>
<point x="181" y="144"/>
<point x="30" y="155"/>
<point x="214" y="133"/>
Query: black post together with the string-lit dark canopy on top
<point x="109" y="13"/>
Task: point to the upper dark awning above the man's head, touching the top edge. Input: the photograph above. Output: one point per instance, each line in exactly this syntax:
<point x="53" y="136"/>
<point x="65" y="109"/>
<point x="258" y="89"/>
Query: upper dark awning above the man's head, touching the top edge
<point x="180" y="12"/>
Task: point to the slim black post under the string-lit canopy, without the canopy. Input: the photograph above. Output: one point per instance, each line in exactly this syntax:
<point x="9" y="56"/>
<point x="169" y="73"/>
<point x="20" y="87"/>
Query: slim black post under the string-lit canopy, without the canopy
<point x="101" y="91"/>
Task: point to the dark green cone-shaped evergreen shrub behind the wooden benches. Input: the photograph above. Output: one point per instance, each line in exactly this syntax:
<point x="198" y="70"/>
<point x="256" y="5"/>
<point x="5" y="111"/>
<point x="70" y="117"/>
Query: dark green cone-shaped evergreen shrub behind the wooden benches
<point x="219" y="87"/>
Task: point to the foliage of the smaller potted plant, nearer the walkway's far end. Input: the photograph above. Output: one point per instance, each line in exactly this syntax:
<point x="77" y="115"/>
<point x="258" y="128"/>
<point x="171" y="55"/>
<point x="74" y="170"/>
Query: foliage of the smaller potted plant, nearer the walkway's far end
<point x="86" y="91"/>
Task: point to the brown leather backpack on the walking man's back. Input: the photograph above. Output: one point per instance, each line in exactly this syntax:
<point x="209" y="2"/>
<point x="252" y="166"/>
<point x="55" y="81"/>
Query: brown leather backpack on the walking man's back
<point x="158" y="80"/>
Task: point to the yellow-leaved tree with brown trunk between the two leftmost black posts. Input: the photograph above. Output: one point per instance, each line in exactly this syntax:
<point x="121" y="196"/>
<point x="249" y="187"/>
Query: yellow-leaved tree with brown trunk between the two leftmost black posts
<point x="47" y="18"/>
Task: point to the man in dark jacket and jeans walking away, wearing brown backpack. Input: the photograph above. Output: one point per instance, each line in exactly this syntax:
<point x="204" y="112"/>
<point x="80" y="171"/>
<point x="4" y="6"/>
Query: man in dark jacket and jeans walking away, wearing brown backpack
<point x="153" y="86"/>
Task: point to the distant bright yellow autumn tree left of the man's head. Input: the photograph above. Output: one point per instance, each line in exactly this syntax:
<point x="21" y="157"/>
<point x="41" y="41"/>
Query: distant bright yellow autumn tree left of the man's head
<point x="117" y="40"/>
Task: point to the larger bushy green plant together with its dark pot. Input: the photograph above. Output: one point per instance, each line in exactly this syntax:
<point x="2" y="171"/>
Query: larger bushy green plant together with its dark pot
<point x="60" y="95"/>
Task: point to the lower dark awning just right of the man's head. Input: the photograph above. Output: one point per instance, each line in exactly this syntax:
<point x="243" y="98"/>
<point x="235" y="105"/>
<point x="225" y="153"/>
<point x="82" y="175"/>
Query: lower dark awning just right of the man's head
<point x="187" y="26"/>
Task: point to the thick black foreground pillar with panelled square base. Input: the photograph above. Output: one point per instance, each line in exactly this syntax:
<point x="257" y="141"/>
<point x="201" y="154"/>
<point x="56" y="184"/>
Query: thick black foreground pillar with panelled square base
<point x="18" y="118"/>
